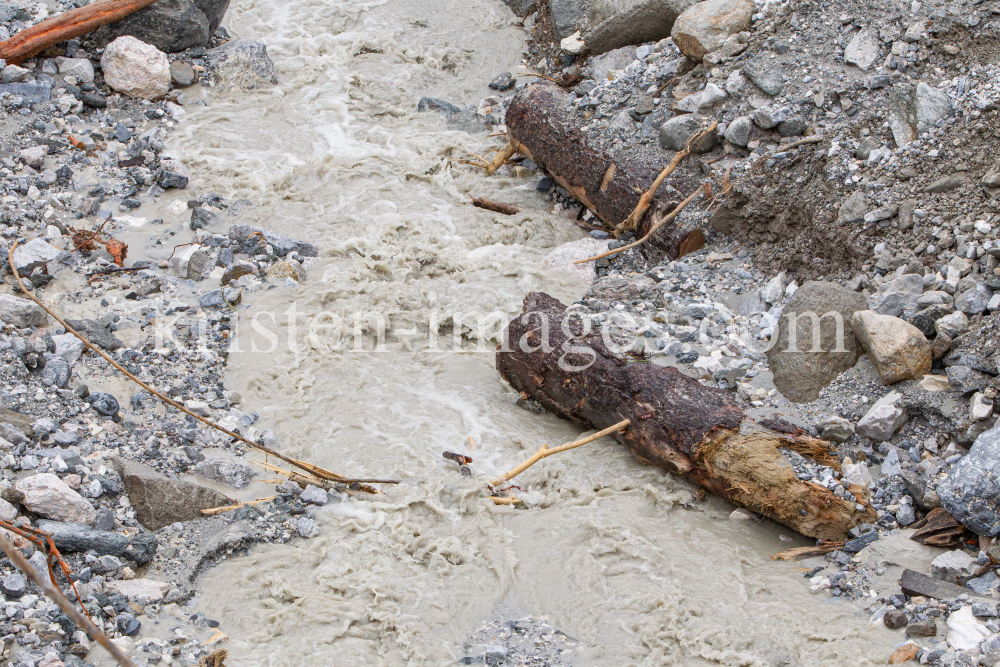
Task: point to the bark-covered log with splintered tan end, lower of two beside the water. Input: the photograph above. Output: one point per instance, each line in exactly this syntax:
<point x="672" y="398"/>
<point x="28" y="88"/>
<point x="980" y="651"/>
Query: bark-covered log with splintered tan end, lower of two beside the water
<point x="677" y="423"/>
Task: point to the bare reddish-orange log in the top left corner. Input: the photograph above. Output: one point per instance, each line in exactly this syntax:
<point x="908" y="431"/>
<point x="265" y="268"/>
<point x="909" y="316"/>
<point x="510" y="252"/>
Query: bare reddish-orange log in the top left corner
<point x="66" y="26"/>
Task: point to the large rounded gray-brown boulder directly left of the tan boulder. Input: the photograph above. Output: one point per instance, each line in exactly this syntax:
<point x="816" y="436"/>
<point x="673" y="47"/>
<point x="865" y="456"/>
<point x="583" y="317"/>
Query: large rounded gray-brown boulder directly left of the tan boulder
<point x="803" y="369"/>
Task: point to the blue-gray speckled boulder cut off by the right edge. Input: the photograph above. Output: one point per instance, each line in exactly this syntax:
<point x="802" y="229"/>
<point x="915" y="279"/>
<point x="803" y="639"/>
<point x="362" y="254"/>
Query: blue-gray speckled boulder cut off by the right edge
<point x="971" y="492"/>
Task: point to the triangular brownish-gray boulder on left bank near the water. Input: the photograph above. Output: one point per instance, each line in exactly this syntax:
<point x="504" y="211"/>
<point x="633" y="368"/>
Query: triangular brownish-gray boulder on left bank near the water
<point x="160" y="501"/>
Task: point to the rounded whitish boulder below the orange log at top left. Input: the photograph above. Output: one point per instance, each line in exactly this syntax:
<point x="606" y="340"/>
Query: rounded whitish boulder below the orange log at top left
<point x="136" y="69"/>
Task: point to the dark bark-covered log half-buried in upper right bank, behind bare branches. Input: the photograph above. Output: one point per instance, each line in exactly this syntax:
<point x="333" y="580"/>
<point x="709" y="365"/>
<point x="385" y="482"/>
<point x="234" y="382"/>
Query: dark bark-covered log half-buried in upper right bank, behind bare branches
<point x="541" y="126"/>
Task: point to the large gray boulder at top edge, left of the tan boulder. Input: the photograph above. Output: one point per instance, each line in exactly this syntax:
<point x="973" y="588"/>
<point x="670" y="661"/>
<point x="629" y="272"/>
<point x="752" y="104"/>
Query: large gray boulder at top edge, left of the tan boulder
<point x="617" y="23"/>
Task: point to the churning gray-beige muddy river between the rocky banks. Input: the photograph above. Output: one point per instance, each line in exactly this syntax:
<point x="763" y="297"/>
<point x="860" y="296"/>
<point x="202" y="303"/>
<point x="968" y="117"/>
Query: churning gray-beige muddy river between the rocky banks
<point x="618" y="556"/>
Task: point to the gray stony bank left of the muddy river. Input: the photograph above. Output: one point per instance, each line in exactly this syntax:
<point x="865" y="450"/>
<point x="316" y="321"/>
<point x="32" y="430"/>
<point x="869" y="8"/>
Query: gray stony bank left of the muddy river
<point x="84" y="130"/>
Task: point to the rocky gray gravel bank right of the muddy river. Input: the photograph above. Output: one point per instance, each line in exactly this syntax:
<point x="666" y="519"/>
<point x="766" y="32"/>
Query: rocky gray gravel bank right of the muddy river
<point x="853" y="165"/>
